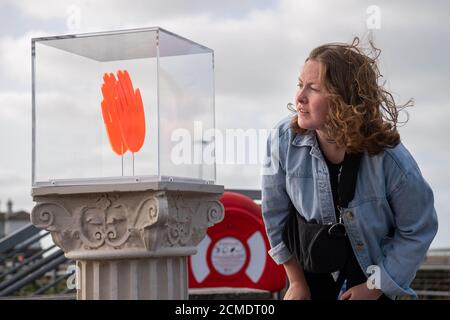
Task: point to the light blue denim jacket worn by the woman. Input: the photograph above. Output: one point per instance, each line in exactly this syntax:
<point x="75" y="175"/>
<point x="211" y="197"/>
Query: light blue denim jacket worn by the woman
<point x="390" y="222"/>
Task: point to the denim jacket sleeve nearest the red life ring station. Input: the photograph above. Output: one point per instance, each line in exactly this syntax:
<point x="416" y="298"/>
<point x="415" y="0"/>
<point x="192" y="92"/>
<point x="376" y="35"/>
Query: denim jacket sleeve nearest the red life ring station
<point x="275" y="200"/>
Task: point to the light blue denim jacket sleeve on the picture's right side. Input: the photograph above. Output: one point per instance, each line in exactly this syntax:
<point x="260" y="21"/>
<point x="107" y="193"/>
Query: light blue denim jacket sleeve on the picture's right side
<point x="416" y="225"/>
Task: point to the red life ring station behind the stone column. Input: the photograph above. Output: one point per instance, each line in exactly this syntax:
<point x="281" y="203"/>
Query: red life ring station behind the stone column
<point x="234" y="251"/>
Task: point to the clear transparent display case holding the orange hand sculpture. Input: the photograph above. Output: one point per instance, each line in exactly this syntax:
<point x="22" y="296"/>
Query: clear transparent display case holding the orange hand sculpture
<point x="124" y="106"/>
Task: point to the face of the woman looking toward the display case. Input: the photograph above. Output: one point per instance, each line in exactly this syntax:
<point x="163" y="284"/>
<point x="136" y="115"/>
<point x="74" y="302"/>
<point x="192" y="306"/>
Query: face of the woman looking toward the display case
<point x="311" y="102"/>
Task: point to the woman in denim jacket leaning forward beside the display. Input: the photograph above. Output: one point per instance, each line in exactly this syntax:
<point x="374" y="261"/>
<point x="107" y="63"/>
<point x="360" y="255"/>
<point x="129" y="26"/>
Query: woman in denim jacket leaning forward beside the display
<point x="342" y="110"/>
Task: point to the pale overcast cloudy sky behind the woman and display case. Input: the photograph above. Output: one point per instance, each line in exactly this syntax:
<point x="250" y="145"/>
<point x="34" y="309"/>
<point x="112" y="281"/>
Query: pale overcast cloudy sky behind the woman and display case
<point x="259" y="49"/>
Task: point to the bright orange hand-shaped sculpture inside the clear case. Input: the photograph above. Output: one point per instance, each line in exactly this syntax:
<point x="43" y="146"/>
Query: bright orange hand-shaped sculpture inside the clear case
<point x="123" y="113"/>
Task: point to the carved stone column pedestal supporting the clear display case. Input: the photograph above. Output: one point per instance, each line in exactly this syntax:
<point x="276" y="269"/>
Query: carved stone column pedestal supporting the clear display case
<point x="129" y="244"/>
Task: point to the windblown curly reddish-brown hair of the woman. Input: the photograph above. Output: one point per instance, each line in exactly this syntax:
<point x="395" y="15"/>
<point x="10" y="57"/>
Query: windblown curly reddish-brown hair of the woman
<point x="363" y="115"/>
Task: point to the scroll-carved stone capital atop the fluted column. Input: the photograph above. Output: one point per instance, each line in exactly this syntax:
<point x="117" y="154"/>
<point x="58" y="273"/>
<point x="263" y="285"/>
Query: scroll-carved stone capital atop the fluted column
<point x="127" y="225"/>
